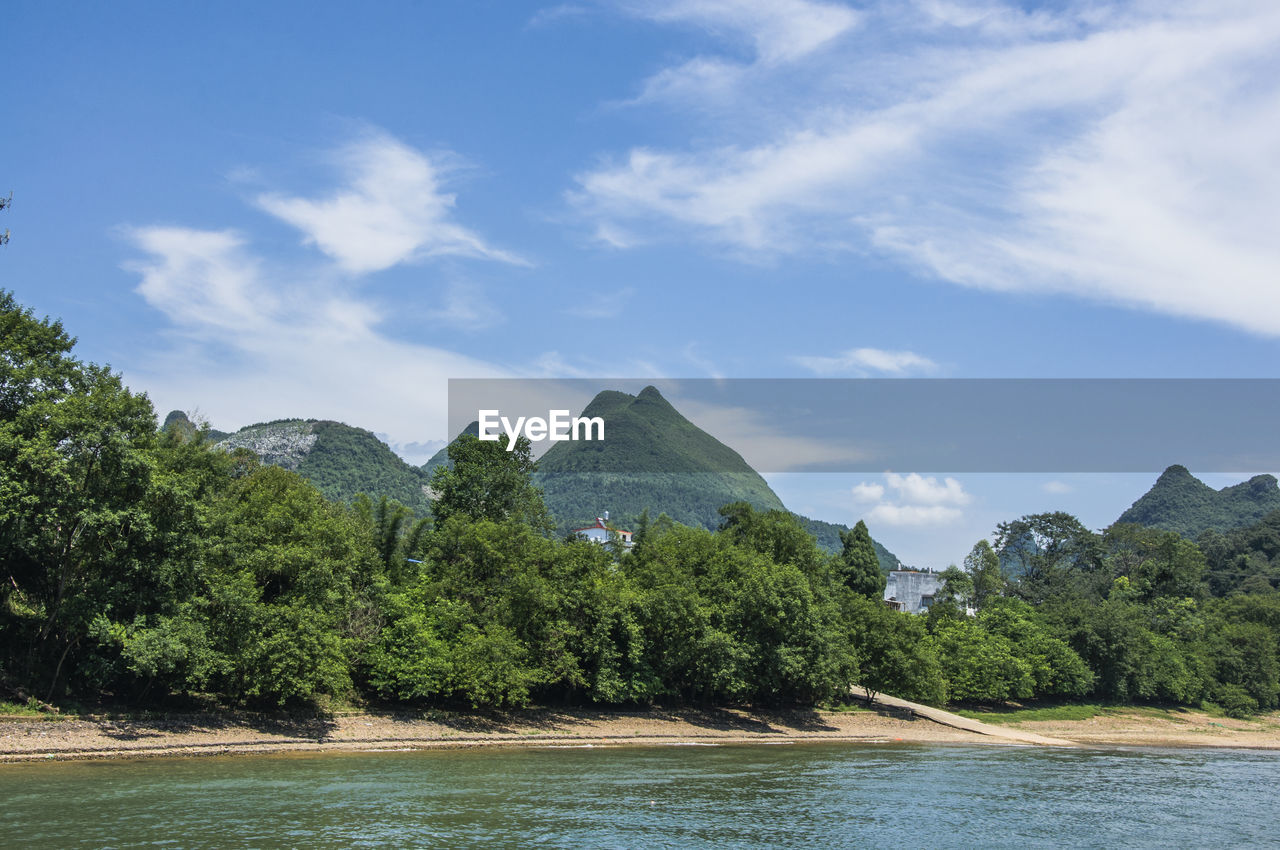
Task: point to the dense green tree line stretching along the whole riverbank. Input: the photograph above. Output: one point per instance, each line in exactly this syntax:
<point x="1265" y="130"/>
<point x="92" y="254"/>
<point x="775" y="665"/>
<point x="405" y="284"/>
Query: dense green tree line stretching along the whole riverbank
<point x="140" y="565"/>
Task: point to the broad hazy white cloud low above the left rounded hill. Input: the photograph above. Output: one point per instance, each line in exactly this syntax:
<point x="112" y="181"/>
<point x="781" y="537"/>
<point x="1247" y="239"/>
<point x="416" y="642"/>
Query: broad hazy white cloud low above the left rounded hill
<point x="252" y="348"/>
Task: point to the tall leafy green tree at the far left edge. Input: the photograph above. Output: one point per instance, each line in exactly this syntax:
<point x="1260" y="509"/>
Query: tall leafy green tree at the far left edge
<point x="77" y="534"/>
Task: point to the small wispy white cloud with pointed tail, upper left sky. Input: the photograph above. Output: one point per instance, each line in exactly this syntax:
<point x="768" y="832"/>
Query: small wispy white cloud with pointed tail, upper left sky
<point x="391" y="211"/>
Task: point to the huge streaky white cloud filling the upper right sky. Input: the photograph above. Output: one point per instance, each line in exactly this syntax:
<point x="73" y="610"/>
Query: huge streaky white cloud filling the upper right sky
<point x="1123" y="154"/>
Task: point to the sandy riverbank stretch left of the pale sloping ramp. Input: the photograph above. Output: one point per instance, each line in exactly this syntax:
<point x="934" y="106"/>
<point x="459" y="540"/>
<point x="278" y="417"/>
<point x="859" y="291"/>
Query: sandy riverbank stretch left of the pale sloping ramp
<point x="25" y="739"/>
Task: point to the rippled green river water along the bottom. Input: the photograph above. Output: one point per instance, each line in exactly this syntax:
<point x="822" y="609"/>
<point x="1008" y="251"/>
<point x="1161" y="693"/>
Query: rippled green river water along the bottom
<point x="680" y="797"/>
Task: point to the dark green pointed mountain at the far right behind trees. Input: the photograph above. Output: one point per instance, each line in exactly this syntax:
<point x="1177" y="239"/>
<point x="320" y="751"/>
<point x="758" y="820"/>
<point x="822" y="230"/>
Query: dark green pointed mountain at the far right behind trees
<point x="1183" y="504"/>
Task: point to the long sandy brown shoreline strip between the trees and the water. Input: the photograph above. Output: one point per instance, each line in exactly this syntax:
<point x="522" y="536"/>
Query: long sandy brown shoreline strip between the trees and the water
<point x="34" y="739"/>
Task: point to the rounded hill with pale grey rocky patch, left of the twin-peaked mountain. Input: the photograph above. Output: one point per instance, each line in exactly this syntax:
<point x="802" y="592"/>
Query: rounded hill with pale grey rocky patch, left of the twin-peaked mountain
<point x="339" y="459"/>
